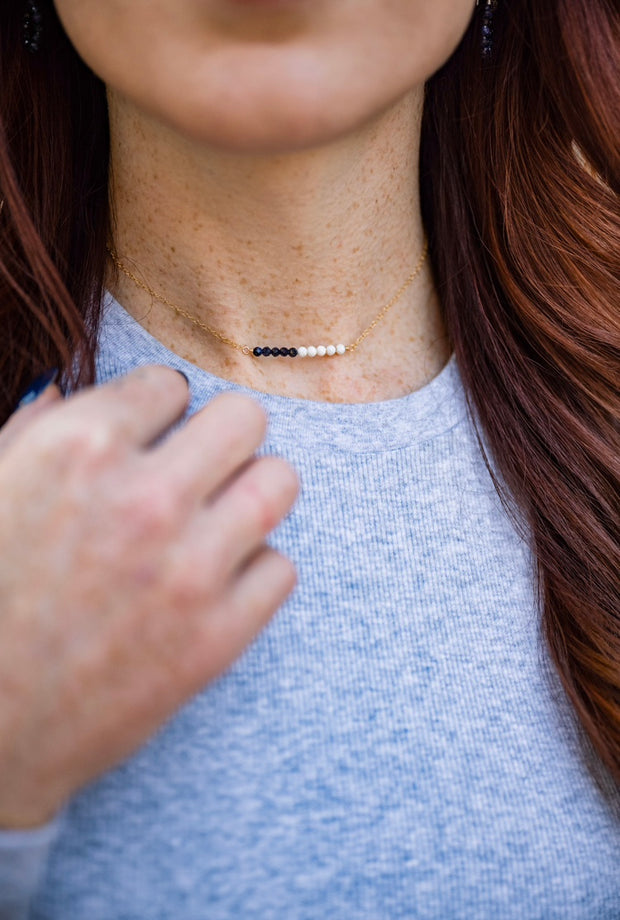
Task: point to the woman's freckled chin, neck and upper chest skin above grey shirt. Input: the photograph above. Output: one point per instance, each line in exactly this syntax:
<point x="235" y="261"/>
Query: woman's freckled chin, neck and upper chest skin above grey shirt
<point x="277" y="146"/>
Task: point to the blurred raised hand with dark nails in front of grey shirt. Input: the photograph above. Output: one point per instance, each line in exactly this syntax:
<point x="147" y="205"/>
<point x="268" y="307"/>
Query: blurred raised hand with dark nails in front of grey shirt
<point x="130" y="574"/>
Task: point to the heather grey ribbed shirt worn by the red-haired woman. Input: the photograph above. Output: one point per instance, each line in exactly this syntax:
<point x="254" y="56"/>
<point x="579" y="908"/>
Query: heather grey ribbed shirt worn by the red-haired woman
<point x="394" y="745"/>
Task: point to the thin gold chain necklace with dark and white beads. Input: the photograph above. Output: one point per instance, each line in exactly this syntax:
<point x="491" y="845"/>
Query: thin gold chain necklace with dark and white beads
<point x="258" y="351"/>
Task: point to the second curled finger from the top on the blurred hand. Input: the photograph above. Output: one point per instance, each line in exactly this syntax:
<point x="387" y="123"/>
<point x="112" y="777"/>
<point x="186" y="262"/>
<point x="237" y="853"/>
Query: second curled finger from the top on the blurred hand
<point x="213" y="445"/>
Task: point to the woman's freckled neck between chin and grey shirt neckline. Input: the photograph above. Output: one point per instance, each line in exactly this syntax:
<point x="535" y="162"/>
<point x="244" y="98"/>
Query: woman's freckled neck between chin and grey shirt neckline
<point x="299" y="248"/>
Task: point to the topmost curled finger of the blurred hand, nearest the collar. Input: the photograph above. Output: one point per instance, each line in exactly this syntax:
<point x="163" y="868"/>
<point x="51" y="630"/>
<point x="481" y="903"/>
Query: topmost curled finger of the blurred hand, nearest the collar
<point x="135" y="409"/>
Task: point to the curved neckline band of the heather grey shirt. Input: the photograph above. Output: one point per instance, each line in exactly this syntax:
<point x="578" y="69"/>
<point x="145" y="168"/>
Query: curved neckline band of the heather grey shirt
<point x="355" y="427"/>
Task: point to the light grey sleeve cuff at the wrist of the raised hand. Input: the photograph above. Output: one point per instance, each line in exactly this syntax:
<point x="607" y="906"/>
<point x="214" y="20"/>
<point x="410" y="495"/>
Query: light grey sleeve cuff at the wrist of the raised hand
<point x="23" y="856"/>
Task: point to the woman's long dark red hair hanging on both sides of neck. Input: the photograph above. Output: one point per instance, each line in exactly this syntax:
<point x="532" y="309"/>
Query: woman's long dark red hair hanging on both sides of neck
<point x="520" y="173"/>
